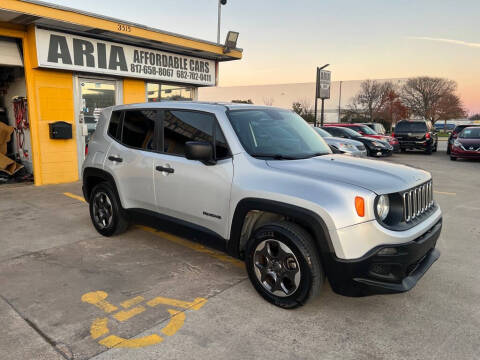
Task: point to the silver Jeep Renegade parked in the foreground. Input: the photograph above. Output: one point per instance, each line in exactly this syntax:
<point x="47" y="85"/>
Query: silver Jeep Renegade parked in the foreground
<point x="263" y="186"/>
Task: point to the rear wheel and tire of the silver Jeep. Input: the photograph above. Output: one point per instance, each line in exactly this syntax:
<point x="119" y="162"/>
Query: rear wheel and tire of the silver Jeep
<point x="106" y="212"/>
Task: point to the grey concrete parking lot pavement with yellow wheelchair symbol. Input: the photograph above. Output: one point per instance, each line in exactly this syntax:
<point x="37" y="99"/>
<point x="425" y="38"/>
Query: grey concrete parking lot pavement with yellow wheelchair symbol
<point x="66" y="292"/>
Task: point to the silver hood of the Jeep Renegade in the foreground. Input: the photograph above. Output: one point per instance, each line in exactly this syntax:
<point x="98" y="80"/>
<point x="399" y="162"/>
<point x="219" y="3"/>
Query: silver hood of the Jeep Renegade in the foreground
<point x="374" y="175"/>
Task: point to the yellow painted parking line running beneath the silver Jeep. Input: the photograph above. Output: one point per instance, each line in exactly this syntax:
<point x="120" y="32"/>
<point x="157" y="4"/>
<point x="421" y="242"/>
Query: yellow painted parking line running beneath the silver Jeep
<point x="181" y="241"/>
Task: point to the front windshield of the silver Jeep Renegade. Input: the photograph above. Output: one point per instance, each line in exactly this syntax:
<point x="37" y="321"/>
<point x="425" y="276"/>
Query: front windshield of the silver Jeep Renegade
<point x="277" y="134"/>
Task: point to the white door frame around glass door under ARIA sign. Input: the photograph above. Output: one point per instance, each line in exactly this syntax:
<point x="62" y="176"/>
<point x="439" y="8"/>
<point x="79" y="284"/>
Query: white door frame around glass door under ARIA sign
<point x="77" y="101"/>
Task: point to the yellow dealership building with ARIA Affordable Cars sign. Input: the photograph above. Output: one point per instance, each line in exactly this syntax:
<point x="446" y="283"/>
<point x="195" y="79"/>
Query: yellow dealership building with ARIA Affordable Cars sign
<point x="60" y="67"/>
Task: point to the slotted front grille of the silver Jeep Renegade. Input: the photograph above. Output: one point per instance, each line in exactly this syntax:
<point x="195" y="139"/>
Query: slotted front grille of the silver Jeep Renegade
<point x="417" y="201"/>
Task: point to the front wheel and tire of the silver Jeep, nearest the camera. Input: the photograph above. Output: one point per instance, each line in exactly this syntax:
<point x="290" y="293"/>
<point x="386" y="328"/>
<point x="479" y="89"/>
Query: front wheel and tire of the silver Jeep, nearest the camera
<point x="284" y="265"/>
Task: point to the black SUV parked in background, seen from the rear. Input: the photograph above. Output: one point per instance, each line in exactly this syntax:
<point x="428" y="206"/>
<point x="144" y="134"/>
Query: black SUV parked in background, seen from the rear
<point x="416" y="134"/>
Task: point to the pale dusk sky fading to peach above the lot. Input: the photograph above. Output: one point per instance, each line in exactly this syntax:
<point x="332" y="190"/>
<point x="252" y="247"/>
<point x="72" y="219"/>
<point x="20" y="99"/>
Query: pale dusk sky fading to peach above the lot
<point x="284" y="40"/>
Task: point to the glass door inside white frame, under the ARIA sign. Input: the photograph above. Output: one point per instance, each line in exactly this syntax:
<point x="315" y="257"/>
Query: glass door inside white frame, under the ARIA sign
<point x="92" y="96"/>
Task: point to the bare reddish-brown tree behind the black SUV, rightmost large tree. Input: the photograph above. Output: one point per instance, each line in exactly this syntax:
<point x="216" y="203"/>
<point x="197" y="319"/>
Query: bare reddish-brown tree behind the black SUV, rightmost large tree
<point x="431" y="98"/>
